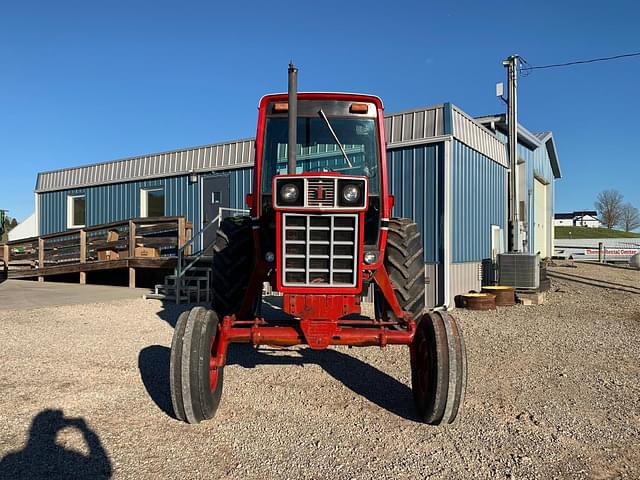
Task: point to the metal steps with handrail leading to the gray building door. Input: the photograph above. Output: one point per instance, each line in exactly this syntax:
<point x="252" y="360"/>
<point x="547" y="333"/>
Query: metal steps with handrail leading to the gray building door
<point x="191" y="280"/>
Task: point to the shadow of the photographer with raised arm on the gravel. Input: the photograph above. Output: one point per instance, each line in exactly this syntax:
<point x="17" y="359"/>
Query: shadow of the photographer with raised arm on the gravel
<point x="43" y="458"/>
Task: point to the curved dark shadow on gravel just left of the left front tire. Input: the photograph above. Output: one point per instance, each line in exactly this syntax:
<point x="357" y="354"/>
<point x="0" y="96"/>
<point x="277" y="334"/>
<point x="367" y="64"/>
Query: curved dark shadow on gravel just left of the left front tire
<point x="153" y="363"/>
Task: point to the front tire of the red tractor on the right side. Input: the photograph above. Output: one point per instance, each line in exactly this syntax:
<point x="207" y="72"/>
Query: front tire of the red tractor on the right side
<point x="438" y="368"/>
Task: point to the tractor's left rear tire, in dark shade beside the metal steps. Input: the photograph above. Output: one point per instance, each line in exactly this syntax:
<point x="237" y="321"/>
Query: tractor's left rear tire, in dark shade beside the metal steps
<point x="232" y="264"/>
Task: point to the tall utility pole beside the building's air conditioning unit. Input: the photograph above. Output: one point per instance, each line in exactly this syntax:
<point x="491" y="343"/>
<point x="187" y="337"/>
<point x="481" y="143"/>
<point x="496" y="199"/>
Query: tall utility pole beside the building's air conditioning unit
<point x="511" y="64"/>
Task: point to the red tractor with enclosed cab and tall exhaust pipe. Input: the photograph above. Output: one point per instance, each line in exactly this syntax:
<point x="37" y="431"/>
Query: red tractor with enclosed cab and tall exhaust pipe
<point x="321" y="233"/>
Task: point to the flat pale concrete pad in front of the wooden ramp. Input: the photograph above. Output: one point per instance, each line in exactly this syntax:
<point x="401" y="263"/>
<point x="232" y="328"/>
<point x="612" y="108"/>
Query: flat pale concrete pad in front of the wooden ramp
<point x="23" y="294"/>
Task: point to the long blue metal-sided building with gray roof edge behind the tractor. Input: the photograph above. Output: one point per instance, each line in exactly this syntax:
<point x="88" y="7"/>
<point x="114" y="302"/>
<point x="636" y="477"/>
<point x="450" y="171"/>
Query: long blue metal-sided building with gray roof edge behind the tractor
<point x="447" y="171"/>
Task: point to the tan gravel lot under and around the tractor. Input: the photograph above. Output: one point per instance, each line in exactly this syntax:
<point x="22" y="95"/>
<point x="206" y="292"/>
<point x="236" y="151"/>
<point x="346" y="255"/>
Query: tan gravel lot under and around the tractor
<point x="553" y="393"/>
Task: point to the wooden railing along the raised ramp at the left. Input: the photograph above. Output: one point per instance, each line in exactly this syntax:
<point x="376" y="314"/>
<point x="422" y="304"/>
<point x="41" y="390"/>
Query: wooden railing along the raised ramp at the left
<point x="138" y="237"/>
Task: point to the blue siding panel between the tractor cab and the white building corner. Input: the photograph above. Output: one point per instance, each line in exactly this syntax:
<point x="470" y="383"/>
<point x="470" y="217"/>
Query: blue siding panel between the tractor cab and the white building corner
<point x="416" y="179"/>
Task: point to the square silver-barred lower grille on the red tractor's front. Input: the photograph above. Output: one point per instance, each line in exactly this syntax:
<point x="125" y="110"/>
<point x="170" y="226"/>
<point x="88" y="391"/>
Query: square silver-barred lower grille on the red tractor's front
<point x="319" y="250"/>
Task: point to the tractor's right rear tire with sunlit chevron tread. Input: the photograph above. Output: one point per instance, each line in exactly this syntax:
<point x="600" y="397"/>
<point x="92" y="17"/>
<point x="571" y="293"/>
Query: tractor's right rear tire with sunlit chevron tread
<point x="405" y="265"/>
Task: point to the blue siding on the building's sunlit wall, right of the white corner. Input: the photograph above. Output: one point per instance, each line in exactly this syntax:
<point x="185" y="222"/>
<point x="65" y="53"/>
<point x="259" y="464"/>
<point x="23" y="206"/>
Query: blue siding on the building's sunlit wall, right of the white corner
<point x="479" y="200"/>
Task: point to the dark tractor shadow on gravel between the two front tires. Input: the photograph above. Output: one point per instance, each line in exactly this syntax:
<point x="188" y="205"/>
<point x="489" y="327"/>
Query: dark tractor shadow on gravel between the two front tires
<point x="360" y="377"/>
